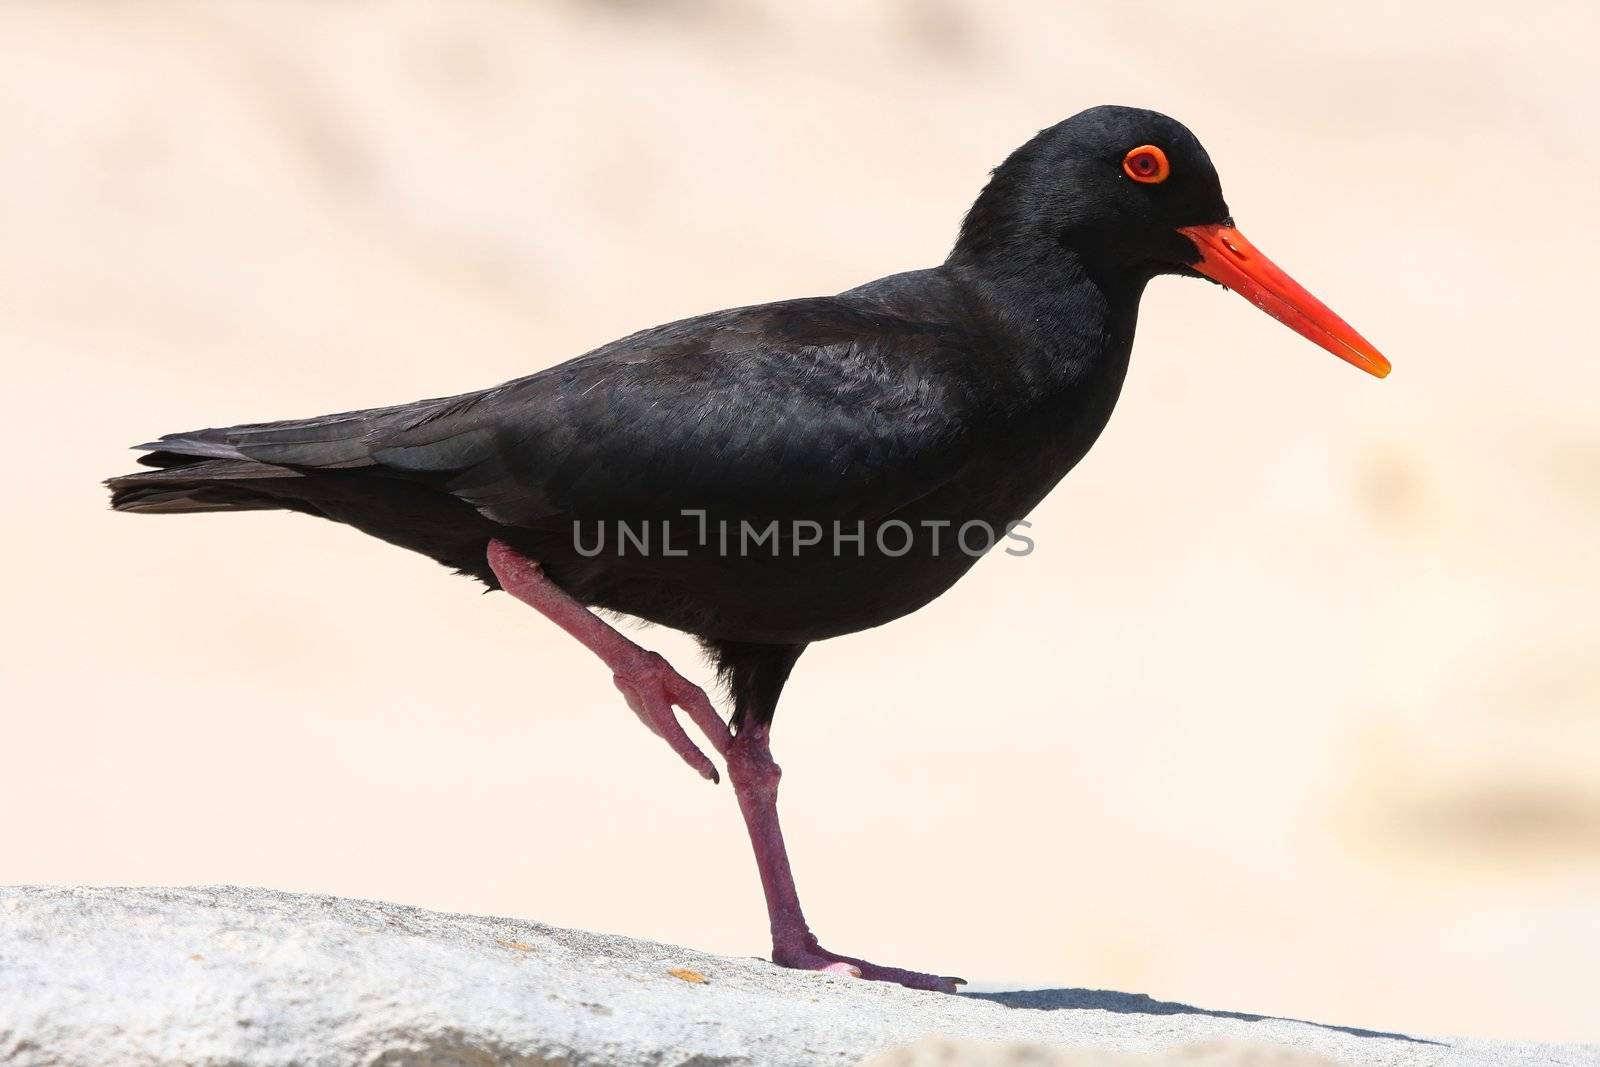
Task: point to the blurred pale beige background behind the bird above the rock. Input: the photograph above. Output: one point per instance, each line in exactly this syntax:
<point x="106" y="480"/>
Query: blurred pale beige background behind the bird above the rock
<point x="1295" y="709"/>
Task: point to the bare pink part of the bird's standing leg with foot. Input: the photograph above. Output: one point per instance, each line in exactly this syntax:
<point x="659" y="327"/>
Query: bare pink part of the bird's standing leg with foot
<point x="754" y="778"/>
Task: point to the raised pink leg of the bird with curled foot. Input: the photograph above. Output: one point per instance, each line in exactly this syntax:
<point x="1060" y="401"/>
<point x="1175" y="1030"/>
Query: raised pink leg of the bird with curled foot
<point x="649" y="682"/>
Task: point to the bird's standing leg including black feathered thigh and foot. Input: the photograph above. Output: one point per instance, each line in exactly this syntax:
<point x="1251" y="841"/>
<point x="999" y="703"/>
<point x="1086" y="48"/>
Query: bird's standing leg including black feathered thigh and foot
<point x="754" y="777"/>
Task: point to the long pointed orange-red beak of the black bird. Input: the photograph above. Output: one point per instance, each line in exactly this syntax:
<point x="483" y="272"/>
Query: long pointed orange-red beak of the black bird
<point x="1228" y="258"/>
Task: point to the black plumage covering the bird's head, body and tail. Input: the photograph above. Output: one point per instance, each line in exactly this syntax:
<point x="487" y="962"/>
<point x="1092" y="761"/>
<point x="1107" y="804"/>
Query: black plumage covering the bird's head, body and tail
<point x="962" y="393"/>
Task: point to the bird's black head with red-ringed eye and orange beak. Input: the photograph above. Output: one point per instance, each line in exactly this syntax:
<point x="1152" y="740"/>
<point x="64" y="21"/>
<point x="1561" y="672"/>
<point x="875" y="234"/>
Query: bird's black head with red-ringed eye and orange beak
<point x="1132" y="194"/>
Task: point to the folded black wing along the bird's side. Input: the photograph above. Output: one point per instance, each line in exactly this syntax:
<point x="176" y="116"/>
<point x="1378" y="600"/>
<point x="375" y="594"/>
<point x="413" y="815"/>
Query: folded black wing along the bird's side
<point x="815" y="407"/>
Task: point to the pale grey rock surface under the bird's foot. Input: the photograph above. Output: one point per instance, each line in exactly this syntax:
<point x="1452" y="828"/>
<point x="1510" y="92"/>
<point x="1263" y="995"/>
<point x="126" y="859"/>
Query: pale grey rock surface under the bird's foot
<point x="214" y="977"/>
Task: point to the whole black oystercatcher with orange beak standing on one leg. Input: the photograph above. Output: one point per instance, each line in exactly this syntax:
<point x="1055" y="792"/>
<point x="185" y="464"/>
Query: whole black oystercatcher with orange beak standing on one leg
<point x="774" y="476"/>
